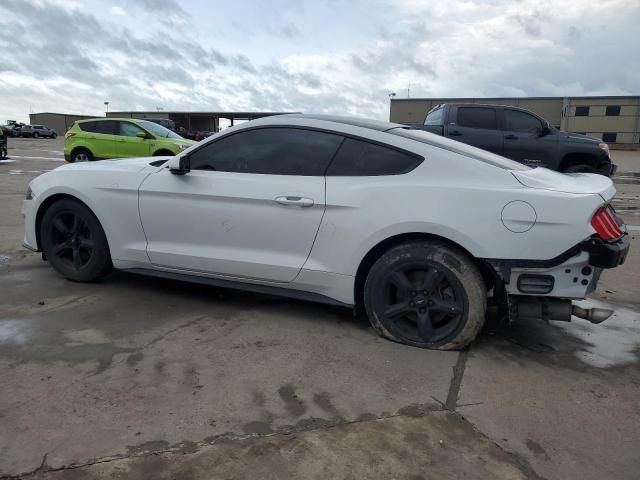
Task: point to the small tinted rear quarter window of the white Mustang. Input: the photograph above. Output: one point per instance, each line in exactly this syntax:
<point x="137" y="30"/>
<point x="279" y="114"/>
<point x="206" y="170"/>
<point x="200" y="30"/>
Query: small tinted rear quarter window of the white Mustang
<point x="358" y="158"/>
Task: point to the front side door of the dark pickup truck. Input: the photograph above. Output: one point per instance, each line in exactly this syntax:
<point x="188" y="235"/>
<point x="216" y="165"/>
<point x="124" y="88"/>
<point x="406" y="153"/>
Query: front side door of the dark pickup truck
<point x="523" y="138"/>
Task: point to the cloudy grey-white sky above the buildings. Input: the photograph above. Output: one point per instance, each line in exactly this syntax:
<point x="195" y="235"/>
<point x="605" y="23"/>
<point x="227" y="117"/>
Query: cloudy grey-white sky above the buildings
<point x="313" y="56"/>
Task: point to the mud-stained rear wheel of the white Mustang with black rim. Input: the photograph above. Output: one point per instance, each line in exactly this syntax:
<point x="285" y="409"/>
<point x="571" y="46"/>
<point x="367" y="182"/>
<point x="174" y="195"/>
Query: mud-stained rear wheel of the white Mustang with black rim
<point x="426" y="294"/>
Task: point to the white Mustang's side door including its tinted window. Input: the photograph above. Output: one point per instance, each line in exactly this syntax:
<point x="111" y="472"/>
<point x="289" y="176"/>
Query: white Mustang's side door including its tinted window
<point x="249" y="208"/>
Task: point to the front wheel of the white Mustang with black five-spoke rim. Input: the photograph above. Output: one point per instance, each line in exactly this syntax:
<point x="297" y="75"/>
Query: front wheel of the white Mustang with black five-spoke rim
<point x="74" y="243"/>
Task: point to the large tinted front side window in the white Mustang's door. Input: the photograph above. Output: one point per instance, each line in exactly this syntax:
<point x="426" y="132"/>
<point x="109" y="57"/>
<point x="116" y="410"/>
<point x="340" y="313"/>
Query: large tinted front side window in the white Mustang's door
<point x="275" y="151"/>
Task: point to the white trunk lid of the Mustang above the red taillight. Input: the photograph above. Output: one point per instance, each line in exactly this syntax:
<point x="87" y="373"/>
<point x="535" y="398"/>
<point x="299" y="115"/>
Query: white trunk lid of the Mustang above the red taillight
<point x="578" y="183"/>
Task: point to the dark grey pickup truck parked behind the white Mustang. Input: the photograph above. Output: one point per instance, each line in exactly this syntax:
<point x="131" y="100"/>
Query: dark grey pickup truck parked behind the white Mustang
<point x="520" y="135"/>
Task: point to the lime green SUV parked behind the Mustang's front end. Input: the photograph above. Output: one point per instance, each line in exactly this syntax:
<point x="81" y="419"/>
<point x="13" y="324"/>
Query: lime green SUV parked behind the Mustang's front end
<point x="99" y="139"/>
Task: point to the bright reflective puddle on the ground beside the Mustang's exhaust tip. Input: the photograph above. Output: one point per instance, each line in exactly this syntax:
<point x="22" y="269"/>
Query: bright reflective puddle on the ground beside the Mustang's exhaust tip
<point x="614" y="342"/>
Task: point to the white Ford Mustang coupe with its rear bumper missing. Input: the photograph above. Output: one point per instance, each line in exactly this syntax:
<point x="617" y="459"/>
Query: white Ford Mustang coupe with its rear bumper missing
<point x="420" y="231"/>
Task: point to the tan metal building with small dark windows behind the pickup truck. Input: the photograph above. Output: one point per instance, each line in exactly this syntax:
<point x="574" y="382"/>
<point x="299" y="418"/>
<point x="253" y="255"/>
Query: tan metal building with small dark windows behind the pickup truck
<point x="615" y="119"/>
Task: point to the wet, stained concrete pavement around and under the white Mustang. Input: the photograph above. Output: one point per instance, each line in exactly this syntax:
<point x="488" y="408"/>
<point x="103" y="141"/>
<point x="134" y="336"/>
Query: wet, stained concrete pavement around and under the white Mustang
<point x="138" y="377"/>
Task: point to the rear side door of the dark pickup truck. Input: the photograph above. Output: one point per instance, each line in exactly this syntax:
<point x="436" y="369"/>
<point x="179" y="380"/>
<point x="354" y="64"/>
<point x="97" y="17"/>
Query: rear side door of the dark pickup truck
<point x="477" y="126"/>
